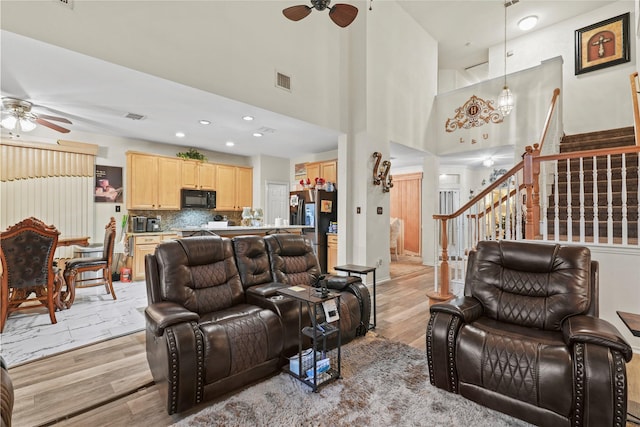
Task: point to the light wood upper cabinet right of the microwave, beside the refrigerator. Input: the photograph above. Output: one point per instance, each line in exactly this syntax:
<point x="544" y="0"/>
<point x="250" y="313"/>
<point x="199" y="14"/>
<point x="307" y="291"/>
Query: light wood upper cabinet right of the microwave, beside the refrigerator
<point x="234" y="187"/>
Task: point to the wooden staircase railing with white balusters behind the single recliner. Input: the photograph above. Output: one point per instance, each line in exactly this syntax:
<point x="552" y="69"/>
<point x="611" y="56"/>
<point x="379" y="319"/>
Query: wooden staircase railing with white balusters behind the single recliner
<point x="533" y="200"/>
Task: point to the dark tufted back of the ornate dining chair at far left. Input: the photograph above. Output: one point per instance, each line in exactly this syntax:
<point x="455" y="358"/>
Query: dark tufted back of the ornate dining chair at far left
<point x="27" y="254"/>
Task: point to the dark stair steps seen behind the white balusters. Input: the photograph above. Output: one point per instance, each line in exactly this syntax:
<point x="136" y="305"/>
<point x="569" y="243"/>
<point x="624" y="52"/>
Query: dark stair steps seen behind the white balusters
<point x="589" y="141"/>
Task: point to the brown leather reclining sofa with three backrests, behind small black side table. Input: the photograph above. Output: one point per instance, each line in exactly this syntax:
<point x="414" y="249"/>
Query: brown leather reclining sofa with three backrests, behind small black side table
<point x="213" y="324"/>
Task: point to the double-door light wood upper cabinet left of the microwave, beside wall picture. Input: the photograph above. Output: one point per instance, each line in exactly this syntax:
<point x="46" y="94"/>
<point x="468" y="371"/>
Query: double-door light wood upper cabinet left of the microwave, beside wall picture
<point x="153" y="183"/>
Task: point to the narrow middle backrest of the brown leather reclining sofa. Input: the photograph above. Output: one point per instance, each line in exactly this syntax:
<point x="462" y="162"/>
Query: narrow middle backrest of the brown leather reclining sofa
<point x="252" y="260"/>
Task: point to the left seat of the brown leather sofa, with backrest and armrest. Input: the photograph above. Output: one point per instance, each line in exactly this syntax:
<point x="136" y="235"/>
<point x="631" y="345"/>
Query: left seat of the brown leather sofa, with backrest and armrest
<point x="202" y="338"/>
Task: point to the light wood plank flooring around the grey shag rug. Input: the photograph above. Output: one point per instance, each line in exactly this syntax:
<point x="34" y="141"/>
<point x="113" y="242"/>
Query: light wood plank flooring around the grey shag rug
<point x="109" y="383"/>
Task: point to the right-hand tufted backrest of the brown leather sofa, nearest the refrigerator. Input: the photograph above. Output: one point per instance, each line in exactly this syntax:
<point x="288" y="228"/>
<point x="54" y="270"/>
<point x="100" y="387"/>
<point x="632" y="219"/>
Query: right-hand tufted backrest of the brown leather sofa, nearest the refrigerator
<point x="293" y="261"/>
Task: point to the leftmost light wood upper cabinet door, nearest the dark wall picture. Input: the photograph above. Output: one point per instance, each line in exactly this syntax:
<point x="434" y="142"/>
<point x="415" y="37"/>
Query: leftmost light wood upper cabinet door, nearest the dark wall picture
<point x="142" y="186"/>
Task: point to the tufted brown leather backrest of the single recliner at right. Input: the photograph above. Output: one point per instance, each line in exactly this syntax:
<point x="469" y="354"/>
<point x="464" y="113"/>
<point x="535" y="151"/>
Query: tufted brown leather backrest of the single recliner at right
<point x="530" y="284"/>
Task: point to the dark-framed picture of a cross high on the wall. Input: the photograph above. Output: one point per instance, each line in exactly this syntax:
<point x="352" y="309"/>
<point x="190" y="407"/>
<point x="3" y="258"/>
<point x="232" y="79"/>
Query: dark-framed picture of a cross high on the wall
<point x="602" y="45"/>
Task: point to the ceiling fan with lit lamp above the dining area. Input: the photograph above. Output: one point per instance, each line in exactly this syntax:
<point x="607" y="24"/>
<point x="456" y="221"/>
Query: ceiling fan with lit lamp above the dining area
<point x="17" y="116"/>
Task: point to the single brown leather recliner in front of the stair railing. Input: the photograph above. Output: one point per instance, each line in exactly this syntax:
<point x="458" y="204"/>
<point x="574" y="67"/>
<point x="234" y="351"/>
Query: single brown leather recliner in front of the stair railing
<point x="526" y="340"/>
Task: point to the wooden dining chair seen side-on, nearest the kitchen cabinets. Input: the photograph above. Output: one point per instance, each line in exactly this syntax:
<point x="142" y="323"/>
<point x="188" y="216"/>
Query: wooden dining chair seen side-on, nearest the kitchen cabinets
<point x="102" y="265"/>
